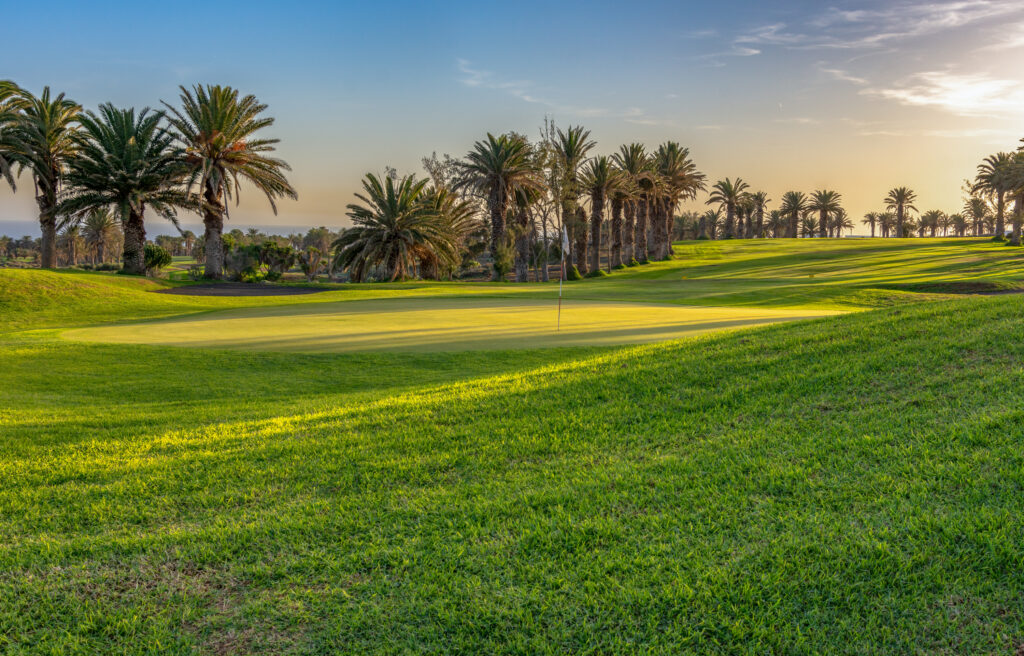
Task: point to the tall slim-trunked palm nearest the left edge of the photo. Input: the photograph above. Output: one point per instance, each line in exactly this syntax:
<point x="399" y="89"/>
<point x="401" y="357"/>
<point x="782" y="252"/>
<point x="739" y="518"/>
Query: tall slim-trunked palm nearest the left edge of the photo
<point x="41" y="139"/>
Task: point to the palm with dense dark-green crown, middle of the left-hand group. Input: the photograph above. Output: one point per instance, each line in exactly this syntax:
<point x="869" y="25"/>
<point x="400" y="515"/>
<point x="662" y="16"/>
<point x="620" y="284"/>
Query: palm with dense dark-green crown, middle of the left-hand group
<point x="127" y="163"/>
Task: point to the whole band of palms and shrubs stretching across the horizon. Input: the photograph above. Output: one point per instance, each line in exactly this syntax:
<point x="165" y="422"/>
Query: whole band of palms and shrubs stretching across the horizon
<point x="507" y="203"/>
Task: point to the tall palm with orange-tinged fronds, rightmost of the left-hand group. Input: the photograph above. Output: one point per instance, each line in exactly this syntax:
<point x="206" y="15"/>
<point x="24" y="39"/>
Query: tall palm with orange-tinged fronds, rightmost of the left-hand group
<point x="218" y="130"/>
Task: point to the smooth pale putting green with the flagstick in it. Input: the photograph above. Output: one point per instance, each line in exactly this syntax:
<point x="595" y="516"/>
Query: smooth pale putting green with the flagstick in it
<point x="436" y="325"/>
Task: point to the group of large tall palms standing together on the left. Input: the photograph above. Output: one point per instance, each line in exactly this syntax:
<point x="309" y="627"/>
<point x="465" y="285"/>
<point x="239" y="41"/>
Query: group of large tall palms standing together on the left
<point x="192" y="157"/>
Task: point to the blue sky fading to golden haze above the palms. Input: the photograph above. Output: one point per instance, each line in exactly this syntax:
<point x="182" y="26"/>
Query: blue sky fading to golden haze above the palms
<point x="856" y="97"/>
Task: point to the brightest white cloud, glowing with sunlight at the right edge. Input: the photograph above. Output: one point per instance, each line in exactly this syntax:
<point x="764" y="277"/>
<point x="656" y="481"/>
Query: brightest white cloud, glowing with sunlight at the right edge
<point x="972" y="96"/>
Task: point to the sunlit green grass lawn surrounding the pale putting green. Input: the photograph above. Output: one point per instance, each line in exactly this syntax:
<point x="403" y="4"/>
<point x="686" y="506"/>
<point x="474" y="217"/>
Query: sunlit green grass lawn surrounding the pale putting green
<point x="848" y="485"/>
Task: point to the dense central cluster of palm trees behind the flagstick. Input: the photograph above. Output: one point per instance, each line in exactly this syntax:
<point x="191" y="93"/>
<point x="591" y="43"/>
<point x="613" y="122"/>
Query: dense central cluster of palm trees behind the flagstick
<point x="410" y="228"/>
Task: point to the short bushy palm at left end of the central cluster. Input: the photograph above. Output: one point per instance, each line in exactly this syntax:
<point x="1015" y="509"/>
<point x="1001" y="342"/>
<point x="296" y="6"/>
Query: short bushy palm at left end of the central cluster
<point x="396" y="227"/>
